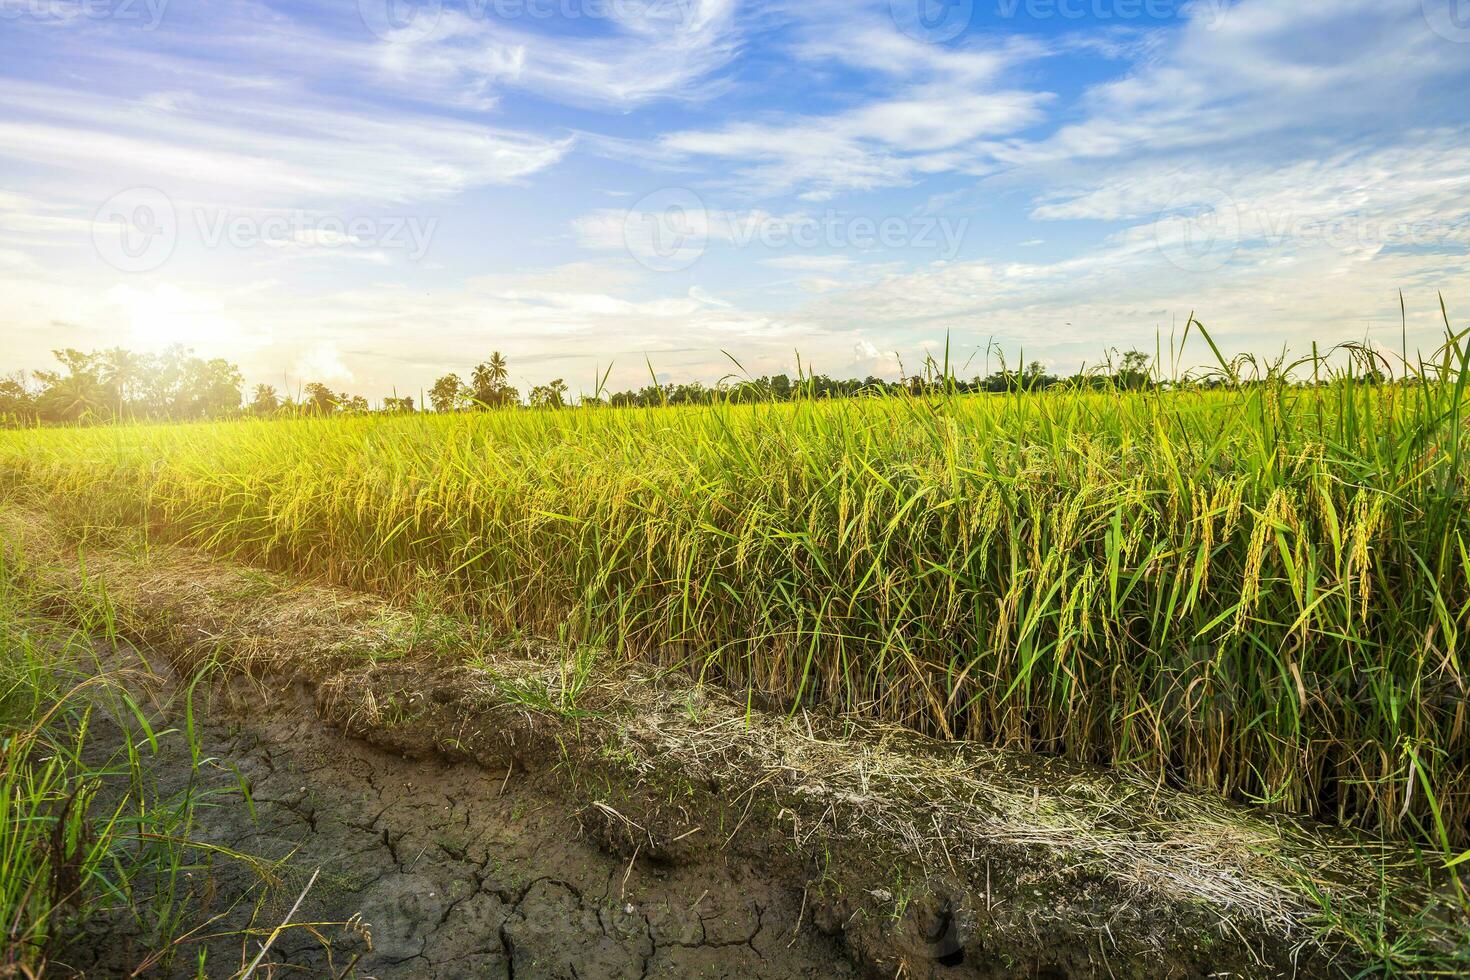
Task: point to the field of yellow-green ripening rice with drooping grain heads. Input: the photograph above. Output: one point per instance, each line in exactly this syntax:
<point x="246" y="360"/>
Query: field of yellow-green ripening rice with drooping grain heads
<point x="1252" y="586"/>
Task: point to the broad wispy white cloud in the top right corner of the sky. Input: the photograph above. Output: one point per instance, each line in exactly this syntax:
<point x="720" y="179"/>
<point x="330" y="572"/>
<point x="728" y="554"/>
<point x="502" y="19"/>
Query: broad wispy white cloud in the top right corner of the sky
<point x="1265" y="67"/>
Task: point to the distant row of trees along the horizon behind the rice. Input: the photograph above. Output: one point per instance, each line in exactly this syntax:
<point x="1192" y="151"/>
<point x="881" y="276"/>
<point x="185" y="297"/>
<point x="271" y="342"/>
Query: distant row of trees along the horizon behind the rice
<point x="174" y="386"/>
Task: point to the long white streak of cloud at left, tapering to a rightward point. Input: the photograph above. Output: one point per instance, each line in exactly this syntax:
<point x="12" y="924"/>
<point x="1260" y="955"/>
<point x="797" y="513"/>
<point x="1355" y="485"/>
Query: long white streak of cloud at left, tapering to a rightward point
<point x="267" y="154"/>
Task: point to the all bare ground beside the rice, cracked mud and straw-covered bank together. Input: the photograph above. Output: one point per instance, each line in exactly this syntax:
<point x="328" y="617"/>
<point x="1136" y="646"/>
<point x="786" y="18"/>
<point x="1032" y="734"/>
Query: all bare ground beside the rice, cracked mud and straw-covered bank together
<point x="581" y="816"/>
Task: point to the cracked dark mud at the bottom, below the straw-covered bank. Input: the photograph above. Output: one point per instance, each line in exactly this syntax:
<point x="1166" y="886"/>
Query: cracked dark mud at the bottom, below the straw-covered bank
<point x="455" y="873"/>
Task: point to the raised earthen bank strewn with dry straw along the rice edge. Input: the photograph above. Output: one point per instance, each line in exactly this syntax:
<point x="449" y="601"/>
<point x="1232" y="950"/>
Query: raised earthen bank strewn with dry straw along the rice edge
<point x="921" y="854"/>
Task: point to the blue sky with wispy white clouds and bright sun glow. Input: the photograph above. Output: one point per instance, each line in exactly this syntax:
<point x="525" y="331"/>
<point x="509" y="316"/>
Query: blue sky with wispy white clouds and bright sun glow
<point x="374" y="193"/>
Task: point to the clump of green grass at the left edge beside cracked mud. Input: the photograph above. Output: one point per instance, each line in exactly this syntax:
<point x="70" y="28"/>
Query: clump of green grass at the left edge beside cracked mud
<point x="85" y="831"/>
